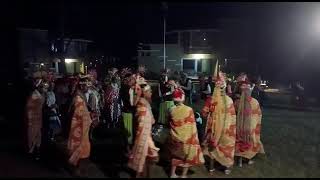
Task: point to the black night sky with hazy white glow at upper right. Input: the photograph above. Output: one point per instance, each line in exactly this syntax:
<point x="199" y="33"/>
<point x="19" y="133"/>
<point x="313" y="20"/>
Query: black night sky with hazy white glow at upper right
<point x="283" y="43"/>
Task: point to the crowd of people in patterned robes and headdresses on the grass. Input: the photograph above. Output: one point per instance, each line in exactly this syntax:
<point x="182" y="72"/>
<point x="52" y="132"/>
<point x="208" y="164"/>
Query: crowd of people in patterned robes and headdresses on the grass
<point x="72" y="106"/>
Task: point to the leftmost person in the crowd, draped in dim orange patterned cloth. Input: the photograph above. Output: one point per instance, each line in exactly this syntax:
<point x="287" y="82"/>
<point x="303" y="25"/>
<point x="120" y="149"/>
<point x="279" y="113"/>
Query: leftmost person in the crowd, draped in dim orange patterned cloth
<point x="34" y="116"/>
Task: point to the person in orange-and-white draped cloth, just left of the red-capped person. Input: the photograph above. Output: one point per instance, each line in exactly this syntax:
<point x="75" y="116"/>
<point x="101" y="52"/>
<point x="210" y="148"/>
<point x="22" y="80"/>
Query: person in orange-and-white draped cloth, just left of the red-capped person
<point x="144" y="150"/>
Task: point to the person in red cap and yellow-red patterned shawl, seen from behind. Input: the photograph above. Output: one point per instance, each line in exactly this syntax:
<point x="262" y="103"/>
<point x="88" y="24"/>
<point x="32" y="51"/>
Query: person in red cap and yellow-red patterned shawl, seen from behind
<point x="184" y="145"/>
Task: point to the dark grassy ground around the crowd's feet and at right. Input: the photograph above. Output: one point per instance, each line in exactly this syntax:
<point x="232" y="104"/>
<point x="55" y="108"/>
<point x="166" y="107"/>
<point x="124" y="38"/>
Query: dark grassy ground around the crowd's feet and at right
<point x="290" y="138"/>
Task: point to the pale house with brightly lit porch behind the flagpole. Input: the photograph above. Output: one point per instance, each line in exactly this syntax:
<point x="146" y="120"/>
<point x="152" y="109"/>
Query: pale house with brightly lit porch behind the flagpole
<point x="187" y="50"/>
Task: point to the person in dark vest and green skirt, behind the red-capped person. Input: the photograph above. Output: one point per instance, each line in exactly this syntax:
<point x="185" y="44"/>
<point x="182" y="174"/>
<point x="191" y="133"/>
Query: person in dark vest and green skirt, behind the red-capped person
<point x="166" y="89"/>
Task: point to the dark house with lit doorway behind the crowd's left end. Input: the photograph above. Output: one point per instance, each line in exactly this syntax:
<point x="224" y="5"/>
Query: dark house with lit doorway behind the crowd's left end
<point x="37" y="52"/>
